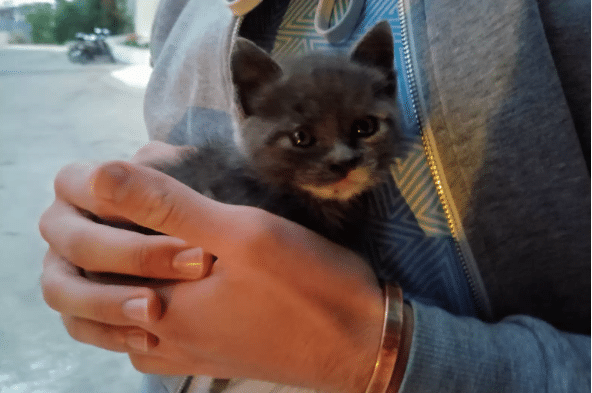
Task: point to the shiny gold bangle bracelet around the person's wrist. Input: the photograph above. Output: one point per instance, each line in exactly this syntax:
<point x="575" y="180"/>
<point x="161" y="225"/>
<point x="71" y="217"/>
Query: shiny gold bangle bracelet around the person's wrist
<point x="390" y="340"/>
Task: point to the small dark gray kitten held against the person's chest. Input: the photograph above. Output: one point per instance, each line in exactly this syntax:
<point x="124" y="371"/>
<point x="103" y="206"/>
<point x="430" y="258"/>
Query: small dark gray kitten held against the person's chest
<point x="314" y="135"/>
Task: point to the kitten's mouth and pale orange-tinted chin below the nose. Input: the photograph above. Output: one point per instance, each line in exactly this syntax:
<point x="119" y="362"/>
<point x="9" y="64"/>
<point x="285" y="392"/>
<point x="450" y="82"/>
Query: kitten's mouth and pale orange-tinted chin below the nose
<point x="356" y="182"/>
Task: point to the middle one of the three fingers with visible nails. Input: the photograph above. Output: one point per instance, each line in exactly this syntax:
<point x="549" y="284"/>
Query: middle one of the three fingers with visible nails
<point x="67" y="292"/>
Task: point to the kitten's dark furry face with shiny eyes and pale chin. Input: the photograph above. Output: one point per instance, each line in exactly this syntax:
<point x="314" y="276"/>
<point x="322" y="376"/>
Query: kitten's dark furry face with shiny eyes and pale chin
<point x="324" y="125"/>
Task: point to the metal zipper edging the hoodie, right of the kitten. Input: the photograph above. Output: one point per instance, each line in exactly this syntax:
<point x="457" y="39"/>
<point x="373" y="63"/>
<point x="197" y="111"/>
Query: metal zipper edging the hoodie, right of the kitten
<point x="461" y="245"/>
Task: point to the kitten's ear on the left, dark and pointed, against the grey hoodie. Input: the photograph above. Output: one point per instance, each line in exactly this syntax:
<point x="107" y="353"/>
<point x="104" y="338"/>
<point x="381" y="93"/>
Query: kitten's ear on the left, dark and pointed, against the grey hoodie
<point x="251" y="68"/>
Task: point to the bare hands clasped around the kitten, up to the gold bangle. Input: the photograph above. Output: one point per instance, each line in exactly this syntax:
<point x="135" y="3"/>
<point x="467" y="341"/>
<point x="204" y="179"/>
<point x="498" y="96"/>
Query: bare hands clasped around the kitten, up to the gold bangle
<point x="280" y="303"/>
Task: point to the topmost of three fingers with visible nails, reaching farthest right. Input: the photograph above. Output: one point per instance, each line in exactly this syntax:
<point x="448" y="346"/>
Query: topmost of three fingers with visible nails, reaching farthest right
<point x="97" y="247"/>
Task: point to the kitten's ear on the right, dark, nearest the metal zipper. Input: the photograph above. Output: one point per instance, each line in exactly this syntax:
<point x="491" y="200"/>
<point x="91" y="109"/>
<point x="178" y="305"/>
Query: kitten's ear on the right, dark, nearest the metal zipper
<point x="376" y="49"/>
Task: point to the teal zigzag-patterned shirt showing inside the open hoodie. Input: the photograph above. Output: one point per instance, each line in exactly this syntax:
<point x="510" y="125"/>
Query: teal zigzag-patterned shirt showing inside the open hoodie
<point x="408" y="240"/>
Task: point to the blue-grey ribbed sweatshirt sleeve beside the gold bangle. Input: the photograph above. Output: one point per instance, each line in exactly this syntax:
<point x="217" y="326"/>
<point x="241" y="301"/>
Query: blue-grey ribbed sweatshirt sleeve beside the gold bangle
<point x="517" y="354"/>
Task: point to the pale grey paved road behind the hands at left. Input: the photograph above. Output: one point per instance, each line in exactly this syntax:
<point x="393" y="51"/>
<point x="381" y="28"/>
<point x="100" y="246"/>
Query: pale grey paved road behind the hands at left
<point x="52" y="113"/>
